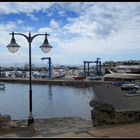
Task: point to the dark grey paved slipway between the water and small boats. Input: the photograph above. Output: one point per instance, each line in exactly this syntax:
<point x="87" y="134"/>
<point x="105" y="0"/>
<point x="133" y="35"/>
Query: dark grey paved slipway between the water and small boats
<point x="113" y="95"/>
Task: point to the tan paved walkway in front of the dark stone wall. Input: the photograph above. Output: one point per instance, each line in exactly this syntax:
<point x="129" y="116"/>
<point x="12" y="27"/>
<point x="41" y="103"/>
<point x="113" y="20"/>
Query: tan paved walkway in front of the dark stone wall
<point x="127" y="130"/>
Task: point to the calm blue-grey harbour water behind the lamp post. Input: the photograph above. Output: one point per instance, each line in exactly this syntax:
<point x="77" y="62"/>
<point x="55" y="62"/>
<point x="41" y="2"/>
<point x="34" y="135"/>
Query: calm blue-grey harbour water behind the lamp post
<point x="48" y="101"/>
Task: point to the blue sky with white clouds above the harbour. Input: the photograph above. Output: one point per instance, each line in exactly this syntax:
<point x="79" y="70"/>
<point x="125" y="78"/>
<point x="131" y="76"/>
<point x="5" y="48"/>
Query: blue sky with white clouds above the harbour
<point x="79" y="31"/>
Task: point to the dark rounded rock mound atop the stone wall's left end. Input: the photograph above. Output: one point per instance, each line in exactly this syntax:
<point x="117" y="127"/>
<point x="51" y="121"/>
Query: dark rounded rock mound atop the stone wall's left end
<point x="102" y="106"/>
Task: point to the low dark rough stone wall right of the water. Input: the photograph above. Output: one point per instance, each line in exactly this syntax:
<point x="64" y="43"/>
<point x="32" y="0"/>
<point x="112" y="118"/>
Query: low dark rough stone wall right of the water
<point x="104" y="113"/>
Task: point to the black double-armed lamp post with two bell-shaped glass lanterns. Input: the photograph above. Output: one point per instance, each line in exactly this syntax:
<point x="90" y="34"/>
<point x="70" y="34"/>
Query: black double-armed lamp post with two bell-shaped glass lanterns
<point x="13" y="47"/>
